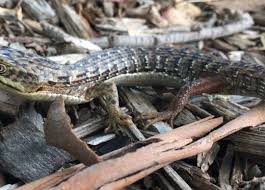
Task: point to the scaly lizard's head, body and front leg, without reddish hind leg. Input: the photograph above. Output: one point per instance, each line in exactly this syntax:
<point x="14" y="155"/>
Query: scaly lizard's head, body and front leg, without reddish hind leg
<point x="37" y="78"/>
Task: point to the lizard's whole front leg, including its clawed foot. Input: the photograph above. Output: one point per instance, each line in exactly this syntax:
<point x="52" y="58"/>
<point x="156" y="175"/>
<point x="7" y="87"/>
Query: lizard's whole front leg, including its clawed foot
<point x="108" y="93"/>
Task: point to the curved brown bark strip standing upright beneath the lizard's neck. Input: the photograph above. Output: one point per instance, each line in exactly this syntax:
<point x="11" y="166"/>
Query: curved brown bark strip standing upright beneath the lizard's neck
<point x="58" y="123"/>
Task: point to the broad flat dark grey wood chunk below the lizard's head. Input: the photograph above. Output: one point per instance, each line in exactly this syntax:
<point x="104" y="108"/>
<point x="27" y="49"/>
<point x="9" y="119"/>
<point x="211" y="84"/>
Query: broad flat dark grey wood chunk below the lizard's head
<point x="24" y="152"/>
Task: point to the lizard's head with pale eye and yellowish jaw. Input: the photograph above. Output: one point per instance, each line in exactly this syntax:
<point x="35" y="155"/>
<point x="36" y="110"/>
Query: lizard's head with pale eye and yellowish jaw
<point x="18" y="74"/>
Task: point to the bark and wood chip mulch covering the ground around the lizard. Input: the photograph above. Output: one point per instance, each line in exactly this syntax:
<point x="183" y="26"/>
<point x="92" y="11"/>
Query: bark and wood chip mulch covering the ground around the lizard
<point x="206" y="149"/>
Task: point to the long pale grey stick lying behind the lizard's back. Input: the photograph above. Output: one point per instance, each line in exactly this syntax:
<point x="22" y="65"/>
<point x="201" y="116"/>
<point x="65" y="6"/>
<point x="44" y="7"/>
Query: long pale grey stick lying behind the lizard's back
<point x="245" y="21"/>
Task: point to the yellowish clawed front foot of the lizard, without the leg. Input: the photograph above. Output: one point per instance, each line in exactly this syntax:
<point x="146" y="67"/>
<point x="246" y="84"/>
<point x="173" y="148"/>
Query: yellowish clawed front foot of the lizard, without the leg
<point x="118" y="119"/>
